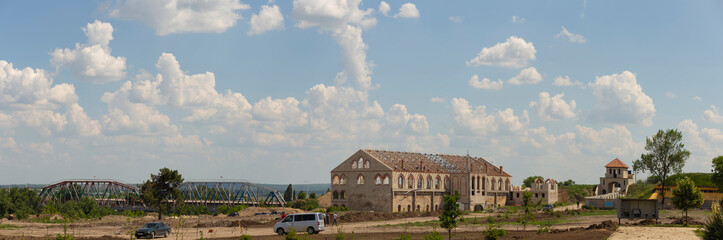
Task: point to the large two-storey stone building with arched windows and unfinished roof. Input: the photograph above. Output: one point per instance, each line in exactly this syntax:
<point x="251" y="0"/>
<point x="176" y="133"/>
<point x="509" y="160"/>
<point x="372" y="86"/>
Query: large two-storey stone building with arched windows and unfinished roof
<point x="387" y="181"/>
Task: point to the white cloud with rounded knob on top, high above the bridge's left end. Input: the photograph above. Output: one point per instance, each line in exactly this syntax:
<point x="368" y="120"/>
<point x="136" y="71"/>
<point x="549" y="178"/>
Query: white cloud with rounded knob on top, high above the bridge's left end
<point x="92" y="61"/>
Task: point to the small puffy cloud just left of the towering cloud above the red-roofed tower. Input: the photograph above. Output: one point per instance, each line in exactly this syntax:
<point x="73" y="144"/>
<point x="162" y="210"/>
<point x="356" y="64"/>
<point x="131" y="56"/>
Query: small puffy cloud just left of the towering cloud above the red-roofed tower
<point x="553" y="108"/>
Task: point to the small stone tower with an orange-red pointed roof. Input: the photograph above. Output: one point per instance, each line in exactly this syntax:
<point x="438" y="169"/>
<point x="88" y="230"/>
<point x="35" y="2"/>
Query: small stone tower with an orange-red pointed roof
<point x="617" y="178"/>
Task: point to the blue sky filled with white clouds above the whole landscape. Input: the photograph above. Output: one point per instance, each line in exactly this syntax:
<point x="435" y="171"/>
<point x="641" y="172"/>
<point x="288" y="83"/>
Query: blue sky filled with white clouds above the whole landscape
<point x="283" y="91"/>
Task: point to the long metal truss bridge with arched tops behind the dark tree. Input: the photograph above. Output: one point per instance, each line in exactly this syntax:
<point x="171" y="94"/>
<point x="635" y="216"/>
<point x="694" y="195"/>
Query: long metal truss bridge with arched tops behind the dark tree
<point x="118" y="195"/>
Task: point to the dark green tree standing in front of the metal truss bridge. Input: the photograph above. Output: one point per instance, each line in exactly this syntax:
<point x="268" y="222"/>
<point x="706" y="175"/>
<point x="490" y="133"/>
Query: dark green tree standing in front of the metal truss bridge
<point x="160" y="188"/>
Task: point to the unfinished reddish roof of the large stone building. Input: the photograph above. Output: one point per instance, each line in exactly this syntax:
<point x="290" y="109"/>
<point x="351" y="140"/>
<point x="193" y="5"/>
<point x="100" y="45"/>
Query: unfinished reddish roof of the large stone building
<point x="424" y="162"/>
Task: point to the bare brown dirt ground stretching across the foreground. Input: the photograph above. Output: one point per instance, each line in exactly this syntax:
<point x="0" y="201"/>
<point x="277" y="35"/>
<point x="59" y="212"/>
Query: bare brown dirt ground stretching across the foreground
<point x="364" y="225"/>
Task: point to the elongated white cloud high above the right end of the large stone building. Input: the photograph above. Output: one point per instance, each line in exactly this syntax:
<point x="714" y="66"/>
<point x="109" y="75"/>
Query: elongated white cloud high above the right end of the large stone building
<point x="513" y="53"/>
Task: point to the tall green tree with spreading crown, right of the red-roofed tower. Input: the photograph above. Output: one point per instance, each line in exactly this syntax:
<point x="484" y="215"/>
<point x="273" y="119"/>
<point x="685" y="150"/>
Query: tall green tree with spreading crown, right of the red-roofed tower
<point x="666" y="155"/>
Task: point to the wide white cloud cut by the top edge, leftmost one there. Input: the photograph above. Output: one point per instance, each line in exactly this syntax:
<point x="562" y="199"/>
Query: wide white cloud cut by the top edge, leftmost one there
<point x="181" y="16"/>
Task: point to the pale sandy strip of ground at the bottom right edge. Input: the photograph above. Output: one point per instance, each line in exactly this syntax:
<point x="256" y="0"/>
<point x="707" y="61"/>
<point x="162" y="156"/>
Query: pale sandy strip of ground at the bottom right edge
<point x="634" y="233"/>
